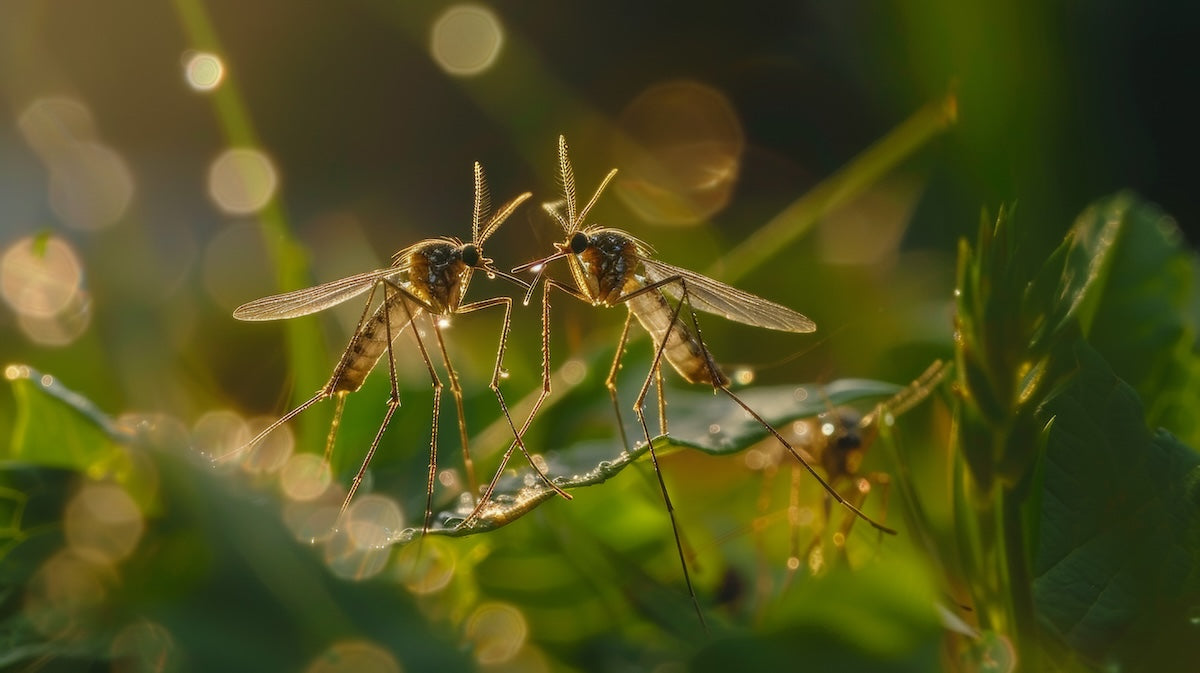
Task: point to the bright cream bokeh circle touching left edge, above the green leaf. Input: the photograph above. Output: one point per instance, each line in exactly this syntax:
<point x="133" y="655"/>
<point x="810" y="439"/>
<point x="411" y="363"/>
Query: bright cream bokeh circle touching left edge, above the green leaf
<point x="40" y="277"/>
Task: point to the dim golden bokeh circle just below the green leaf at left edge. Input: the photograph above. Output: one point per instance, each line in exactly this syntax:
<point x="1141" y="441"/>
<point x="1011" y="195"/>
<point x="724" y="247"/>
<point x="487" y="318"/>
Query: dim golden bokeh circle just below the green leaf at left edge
<point x="103" y="524"/>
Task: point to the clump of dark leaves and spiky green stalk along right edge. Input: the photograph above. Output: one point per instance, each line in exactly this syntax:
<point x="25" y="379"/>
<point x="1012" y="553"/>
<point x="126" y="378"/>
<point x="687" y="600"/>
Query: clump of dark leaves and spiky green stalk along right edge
<point x="1081" y="526"/>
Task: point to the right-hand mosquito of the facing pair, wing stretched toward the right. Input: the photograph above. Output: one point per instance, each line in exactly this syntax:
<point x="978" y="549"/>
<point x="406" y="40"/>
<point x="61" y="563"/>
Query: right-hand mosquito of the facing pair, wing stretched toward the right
<point x="611" y="268"/>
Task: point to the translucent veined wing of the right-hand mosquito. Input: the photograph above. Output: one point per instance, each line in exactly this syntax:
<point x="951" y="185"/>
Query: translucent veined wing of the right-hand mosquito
<point x="717" y="298"/>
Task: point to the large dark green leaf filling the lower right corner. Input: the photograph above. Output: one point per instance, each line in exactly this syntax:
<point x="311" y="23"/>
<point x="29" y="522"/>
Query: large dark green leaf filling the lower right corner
<point x="1118" y="562"/>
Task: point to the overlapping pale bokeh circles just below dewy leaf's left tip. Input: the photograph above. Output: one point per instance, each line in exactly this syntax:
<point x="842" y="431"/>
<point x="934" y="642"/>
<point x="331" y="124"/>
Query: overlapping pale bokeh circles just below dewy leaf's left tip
<point x="362" y="545"/>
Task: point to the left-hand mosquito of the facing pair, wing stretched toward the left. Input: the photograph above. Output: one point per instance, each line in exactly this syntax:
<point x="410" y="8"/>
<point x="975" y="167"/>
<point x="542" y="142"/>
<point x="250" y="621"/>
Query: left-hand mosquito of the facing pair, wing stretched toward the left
<point x="430" y="278"/>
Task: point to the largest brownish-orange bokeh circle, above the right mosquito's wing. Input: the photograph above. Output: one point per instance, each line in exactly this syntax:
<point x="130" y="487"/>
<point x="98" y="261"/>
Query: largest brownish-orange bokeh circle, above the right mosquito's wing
<point x="680" y="152"/>
